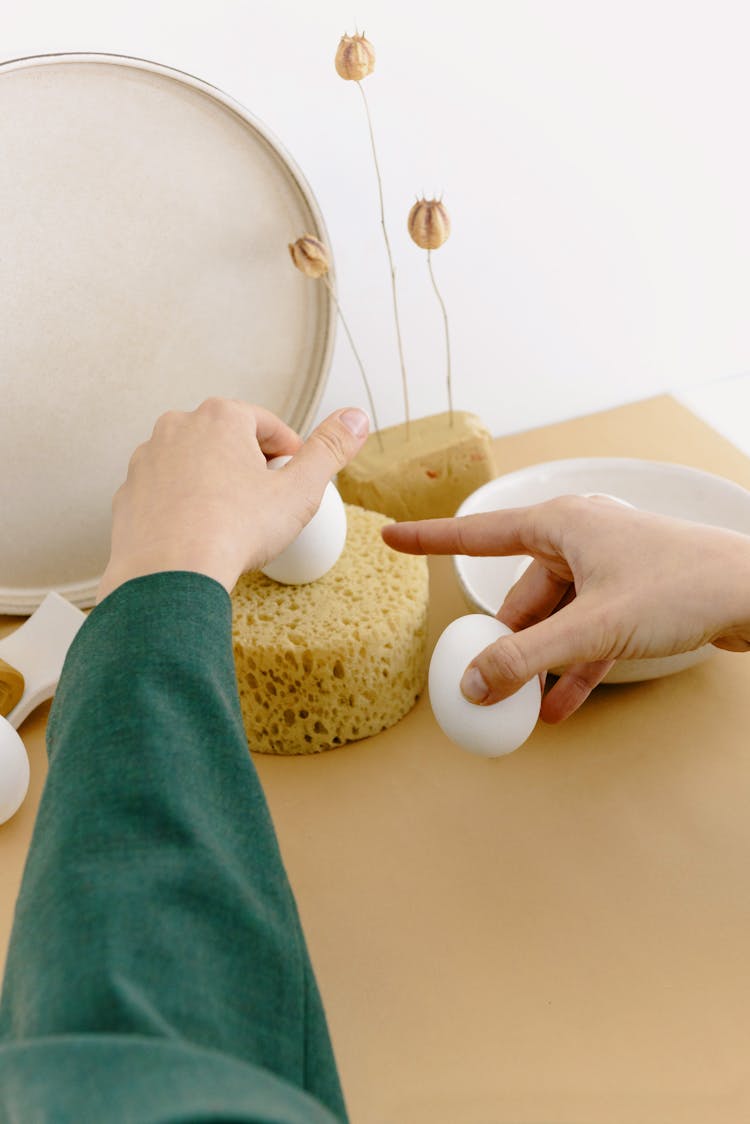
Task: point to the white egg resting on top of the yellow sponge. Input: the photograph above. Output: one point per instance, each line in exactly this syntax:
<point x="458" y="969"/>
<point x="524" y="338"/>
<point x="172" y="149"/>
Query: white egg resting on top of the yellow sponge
<point x="318" y="547"/>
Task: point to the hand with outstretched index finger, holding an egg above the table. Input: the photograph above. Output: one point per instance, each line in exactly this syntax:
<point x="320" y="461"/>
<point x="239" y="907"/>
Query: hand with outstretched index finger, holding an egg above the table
<point x="608" y="583"/>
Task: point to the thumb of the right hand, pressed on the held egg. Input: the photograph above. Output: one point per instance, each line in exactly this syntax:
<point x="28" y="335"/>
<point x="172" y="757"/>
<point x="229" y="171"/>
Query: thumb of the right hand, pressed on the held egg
<point x="504" y="667"/>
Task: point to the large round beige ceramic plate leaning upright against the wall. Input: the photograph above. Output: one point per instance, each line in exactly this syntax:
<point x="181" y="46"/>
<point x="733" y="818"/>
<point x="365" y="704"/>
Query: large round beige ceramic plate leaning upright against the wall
<point x="144" y="268"/>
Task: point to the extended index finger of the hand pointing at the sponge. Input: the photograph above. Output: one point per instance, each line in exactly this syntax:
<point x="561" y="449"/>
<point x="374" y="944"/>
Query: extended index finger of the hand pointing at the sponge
<point x="503" y="532"/>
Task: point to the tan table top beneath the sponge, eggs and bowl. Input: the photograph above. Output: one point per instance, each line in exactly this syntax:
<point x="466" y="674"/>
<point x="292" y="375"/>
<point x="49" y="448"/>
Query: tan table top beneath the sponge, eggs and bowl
<point x="561" y="936"/>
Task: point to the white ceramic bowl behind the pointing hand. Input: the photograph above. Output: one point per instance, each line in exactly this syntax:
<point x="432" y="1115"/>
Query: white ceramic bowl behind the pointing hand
<point x="653" y="486"/>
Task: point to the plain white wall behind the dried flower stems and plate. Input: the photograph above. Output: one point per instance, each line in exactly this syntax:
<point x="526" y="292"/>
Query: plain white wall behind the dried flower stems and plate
<point x="594" y="158"/>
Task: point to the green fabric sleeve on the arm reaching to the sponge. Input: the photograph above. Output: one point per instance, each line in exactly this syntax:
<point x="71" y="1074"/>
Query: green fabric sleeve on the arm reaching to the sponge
<point x="158" y="971"/>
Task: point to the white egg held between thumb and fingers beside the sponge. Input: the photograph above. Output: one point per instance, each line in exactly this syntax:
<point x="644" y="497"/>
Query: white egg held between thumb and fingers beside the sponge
<point x="491" y="731"/>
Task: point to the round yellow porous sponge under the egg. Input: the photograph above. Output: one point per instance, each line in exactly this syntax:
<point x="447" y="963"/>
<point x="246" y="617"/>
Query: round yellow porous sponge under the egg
<point x="339" y="659"/>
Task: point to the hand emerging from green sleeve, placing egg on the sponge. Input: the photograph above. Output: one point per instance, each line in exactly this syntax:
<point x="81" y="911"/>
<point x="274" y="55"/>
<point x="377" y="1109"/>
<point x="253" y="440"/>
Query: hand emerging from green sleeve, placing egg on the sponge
<point x="198" y="495"/>
